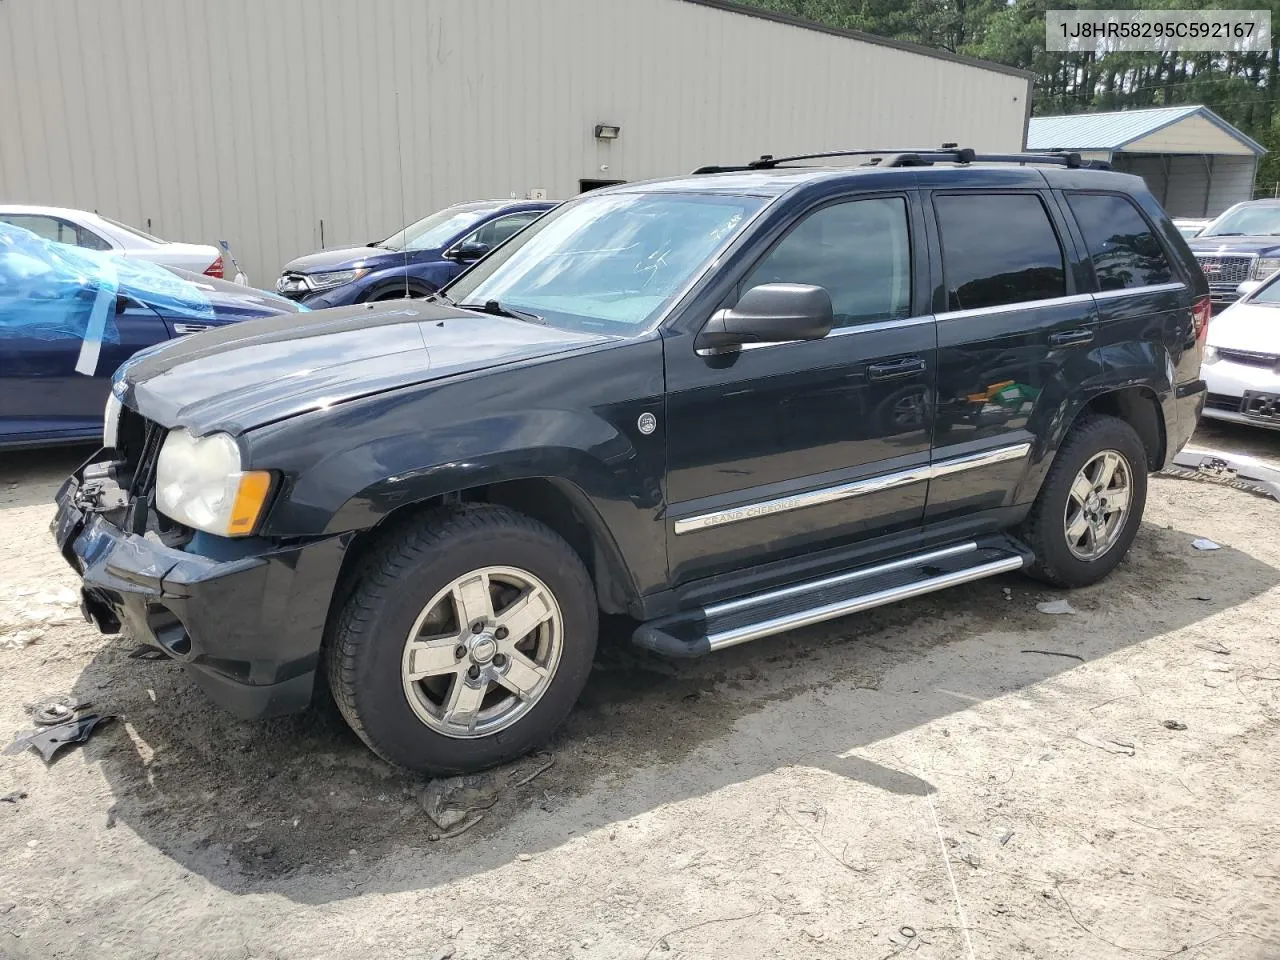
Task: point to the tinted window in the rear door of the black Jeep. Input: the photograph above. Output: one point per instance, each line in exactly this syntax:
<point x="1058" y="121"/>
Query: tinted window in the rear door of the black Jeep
<point x="999" y="249"/>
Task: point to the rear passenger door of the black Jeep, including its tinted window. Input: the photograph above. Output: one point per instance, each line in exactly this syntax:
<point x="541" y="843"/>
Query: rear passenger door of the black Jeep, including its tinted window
<point x="1016" y="336"/>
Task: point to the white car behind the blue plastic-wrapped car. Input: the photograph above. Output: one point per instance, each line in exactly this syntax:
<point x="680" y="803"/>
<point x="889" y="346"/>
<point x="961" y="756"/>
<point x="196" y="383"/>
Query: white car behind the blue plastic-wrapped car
<point x="85" y="230"/>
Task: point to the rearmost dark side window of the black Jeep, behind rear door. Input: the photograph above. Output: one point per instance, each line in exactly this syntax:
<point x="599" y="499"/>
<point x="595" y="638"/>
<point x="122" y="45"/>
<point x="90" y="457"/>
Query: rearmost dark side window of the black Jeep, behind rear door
<point x="1126" y="253"/>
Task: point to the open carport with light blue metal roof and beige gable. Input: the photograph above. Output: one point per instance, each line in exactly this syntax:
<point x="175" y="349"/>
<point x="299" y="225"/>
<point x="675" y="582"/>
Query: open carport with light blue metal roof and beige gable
<point x="1195" y="162"/>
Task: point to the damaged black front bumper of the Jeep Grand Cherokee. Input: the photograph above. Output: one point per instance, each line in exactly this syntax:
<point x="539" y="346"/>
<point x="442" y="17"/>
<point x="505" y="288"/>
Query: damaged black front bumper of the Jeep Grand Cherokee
<point x="246" y="618"/>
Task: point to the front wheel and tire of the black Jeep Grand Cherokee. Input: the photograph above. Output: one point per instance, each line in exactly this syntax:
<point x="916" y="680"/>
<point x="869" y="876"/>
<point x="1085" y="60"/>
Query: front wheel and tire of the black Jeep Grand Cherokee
<point x="465" y="641"/>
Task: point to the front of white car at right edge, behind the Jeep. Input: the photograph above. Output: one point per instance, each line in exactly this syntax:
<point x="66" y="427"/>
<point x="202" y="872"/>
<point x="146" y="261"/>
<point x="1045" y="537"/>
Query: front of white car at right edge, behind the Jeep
<point x="1242" y="358"/>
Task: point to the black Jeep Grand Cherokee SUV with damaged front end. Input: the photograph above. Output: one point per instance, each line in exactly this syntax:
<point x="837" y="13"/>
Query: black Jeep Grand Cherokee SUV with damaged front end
<point x="726" y="405"/>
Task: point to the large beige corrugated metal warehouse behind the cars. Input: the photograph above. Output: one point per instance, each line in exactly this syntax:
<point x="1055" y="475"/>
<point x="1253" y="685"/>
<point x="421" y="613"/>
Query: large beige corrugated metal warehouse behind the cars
<point x="284" y="126"/>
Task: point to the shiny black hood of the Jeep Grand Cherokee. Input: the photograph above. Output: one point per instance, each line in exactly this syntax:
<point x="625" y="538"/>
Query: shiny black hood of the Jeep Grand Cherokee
<point x="258" y="372"/>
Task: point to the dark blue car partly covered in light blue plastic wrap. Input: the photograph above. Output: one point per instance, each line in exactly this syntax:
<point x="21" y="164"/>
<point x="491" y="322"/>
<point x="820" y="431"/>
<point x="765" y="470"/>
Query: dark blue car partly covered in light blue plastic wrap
<point x="70" y="317"/>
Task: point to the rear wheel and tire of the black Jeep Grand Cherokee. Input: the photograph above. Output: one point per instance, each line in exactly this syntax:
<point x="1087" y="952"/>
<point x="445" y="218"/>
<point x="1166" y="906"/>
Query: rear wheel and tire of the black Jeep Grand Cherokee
<point x="1089" y="511"/>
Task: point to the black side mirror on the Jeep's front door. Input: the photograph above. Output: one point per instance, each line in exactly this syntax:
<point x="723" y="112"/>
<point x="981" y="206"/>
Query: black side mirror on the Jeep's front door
<point x="772" y="313"/>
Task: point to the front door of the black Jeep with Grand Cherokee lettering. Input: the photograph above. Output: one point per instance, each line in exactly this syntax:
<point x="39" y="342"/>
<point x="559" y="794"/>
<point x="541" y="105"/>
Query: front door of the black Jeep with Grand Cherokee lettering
<point x="781" y="450"/>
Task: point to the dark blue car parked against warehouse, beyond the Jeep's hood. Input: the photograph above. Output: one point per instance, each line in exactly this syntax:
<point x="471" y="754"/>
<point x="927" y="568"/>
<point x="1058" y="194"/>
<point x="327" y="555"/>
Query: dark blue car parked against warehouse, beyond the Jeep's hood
<point x="418" y="260"/>
